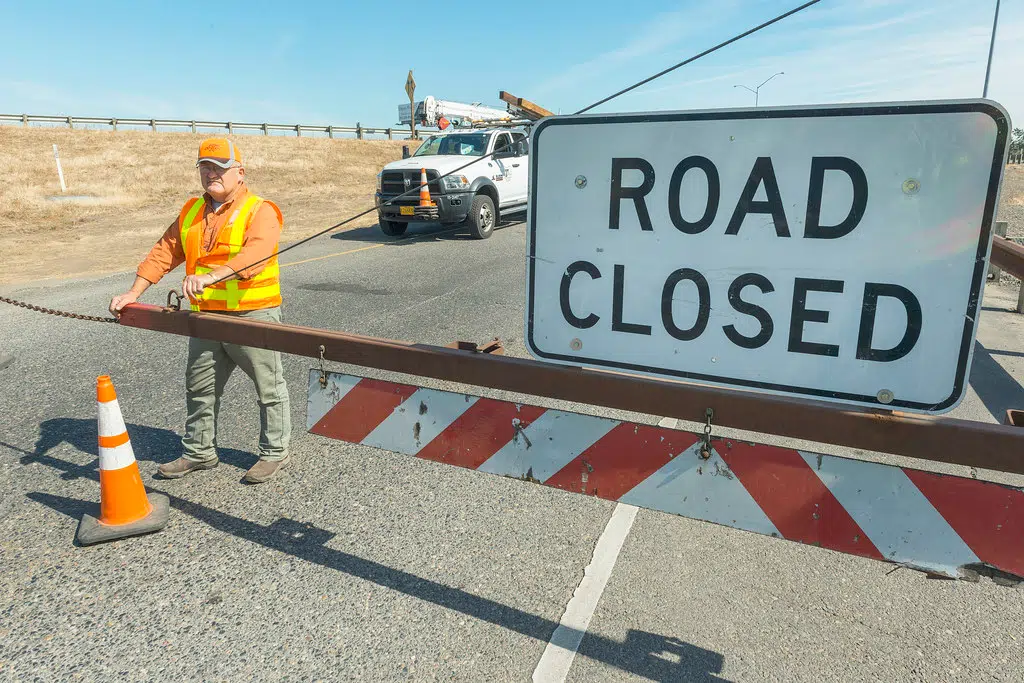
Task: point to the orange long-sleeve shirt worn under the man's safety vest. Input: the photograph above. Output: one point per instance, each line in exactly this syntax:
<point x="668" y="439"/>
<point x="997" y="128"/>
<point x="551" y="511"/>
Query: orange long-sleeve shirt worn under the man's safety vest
<point x="260" y="242"/>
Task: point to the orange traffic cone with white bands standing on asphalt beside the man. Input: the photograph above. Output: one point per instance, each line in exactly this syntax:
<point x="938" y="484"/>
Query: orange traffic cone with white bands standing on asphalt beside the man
<point x="125" y="508"/>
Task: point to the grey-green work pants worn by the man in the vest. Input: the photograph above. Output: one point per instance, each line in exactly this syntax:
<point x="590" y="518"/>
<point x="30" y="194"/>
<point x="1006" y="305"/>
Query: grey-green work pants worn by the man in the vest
<point x="210" y="366"/>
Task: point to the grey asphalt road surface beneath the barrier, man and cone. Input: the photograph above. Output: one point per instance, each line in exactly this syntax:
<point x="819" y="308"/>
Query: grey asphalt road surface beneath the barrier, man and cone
<point x="361" y="565"/>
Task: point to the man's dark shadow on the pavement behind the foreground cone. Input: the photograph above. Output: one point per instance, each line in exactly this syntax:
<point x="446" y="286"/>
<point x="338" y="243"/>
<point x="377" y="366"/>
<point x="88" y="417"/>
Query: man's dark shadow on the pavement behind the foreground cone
<point x="149" y="444"/>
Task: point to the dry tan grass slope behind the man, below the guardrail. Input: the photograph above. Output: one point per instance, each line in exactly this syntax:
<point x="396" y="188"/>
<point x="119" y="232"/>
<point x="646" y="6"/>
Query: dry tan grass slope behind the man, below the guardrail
<point x="129" y="187"/>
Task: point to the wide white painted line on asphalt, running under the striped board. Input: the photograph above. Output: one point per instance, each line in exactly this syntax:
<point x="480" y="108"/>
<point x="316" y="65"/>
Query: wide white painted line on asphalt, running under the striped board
<point x="559" y="656"/>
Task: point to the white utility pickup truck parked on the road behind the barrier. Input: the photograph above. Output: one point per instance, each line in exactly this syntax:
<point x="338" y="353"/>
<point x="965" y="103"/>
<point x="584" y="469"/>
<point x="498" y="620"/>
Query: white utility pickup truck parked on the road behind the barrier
<point x="477" y="196"/>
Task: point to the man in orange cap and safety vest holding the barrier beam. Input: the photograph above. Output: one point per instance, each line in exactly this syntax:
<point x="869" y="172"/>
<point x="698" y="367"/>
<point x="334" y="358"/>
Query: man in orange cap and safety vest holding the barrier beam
<point x="218" y="236"/>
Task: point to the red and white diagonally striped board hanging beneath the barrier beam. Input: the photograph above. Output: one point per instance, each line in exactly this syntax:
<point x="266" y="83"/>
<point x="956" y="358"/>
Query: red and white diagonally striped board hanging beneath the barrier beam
<point x="937" y="524"/>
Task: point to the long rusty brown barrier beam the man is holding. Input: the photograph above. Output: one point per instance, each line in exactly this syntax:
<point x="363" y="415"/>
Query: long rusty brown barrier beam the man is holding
<point x="966" y="443"/>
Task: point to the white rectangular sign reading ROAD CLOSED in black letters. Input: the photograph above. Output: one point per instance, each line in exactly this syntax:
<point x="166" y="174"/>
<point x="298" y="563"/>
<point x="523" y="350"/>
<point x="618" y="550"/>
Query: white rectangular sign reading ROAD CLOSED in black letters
<point x="834" y="253"/>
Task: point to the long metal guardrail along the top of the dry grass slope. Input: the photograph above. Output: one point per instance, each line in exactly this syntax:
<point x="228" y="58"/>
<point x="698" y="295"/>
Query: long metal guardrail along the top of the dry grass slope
<point x="231" y="126"/>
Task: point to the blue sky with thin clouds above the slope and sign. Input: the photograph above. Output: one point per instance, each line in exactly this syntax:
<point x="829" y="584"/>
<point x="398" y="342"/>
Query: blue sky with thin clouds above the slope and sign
<point x="342" y="63"/>
